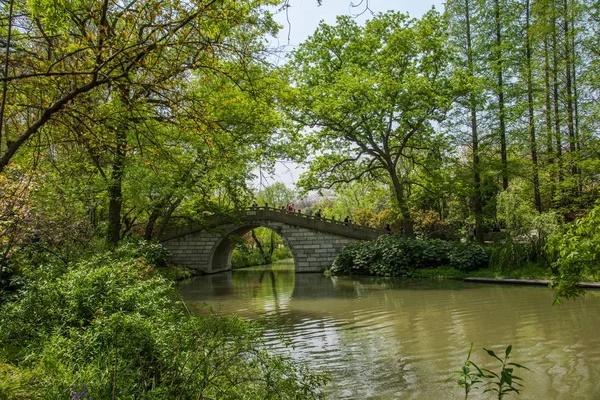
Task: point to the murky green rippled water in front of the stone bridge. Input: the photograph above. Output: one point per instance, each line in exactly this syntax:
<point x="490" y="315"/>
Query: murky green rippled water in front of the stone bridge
<point x="383" y="338"/>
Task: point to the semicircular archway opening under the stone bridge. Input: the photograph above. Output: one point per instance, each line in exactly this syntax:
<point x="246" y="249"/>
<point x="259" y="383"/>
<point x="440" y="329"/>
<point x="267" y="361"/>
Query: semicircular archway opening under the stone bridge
<point x="223" y="252"/>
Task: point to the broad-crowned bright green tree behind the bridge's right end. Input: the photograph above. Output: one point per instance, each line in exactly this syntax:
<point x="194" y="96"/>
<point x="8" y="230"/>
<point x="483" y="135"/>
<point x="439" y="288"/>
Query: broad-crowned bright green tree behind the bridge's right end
<point x="370" y="95"/>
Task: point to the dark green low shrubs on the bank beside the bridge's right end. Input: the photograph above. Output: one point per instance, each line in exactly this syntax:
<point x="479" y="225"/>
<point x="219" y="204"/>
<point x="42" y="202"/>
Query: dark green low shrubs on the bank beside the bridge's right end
<point x="400" y="256"/>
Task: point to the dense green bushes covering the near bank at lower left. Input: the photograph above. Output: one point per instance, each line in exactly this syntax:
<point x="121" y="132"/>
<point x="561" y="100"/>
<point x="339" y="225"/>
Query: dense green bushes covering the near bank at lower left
<point x="106" y="326"/>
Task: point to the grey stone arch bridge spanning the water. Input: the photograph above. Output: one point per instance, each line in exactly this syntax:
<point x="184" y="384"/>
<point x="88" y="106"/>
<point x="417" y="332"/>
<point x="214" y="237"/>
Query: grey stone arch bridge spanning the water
<point x="314" y="242"/>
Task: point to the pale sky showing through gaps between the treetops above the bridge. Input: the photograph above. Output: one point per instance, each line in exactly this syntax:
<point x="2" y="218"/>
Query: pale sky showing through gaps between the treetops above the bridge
<point x="301" y="20"/>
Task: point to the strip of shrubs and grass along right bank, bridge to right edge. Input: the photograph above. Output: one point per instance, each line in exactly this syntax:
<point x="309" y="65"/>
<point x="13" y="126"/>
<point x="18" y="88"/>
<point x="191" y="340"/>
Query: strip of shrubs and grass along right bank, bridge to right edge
<point x="546" y="261"/>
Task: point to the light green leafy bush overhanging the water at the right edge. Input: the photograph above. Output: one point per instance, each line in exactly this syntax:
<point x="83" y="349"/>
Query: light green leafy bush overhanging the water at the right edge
<point x="577" y="253"/>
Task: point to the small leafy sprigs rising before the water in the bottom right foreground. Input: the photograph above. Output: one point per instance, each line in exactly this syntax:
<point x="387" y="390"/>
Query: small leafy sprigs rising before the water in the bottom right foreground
<point x="502" y="383"/>
